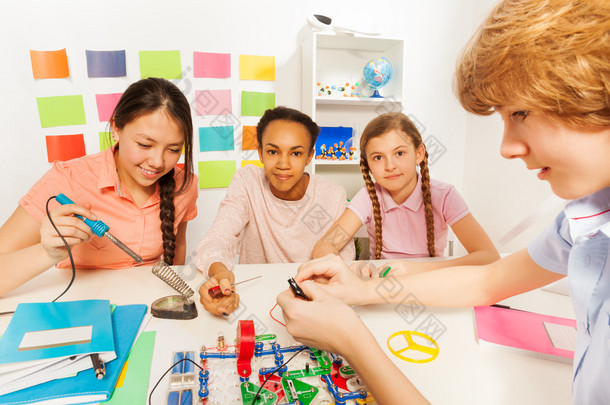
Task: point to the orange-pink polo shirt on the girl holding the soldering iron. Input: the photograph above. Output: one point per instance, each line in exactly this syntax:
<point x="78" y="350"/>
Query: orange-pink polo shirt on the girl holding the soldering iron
<point x="93" y="179"/>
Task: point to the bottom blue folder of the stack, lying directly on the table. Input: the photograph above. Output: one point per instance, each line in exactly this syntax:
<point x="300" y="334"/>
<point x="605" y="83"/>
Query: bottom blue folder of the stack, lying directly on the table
<point x="84" y="387"/>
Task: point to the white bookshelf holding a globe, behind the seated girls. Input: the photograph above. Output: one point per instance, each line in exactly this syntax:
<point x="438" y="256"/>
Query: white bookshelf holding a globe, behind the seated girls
<point x="333" y="58"/>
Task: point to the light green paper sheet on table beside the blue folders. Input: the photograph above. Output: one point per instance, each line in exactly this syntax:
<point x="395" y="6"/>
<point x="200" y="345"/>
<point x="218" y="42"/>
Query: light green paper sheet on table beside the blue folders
<point x="132" y="385"/>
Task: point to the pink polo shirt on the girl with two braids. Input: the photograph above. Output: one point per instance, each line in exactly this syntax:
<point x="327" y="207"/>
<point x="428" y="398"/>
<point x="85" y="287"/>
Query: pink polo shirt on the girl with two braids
<point x="404" y="226"/>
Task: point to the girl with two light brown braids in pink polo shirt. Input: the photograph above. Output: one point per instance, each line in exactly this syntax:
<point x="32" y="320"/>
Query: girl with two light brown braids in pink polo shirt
<point x="406" y="213"/>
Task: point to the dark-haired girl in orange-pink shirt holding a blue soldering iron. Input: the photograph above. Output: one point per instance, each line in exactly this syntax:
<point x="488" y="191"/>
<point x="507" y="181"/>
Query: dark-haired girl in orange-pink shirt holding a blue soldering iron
<point x="134" y="187"/>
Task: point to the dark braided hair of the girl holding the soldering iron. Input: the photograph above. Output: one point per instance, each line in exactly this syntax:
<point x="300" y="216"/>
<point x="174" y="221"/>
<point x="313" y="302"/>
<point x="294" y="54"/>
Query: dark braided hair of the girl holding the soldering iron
<point x="145" y="97"/>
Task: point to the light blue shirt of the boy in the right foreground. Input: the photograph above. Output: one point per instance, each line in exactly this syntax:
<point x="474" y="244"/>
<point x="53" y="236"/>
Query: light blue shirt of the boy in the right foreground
<point x="577" y="244"/>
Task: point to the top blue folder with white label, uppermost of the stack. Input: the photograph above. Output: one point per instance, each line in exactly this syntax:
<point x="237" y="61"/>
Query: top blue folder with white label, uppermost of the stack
<point x="48" y="331"/>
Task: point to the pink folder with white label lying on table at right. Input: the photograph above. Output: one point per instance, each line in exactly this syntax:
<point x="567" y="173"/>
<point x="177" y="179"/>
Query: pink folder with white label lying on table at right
<point x="531" y="333"/>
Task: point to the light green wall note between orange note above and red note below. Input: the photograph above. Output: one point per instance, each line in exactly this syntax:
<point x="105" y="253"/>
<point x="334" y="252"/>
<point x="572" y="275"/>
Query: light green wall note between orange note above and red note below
<point x="61" y="110"/>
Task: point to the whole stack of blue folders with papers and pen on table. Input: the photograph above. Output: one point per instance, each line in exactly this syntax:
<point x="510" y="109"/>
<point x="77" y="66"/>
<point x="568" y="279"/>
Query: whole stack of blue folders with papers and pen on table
<point x="48" y="351"/>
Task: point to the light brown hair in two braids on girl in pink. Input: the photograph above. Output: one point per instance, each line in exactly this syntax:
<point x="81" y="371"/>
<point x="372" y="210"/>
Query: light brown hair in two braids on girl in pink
<point x="380" y="126"/>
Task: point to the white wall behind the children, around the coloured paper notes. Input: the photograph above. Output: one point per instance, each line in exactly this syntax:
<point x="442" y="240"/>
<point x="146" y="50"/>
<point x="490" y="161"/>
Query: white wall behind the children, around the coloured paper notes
<point x="434" y="33"/>
